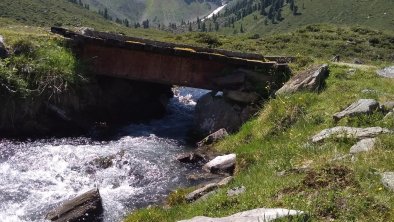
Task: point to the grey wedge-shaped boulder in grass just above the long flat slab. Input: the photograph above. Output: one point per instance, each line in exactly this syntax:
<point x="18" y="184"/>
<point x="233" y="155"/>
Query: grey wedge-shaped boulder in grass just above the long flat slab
<point x="362" y="106"/>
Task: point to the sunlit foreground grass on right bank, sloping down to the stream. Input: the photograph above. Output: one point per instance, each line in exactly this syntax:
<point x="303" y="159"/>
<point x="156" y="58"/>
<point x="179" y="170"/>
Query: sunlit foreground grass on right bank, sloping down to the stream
<point x="278" y="139"/>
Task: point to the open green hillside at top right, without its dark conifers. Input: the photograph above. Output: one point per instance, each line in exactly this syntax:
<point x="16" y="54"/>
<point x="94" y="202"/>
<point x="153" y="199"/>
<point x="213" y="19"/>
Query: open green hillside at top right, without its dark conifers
<point x="374" y="13"/>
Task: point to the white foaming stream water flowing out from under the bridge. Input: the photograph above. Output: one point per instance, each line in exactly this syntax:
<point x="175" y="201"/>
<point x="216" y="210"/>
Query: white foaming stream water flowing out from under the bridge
<point x="135" y="169"/>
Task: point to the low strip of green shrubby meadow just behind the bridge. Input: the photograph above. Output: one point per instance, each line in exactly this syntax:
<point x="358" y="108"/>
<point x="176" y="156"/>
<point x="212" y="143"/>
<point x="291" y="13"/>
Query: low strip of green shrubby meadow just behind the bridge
<point x="320" y="41"/>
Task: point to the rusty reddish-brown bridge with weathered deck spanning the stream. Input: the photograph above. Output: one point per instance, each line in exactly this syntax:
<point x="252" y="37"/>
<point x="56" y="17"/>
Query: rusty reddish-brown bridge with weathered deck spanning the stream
<point x="176" y="64"/>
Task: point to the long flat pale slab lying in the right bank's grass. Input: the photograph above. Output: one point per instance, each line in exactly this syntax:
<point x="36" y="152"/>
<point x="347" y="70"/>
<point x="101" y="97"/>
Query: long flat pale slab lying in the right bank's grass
<point x="349" y="132"/>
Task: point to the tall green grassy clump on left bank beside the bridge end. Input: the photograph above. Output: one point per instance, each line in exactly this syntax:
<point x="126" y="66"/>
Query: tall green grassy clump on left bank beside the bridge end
<point x="41" y="65"/>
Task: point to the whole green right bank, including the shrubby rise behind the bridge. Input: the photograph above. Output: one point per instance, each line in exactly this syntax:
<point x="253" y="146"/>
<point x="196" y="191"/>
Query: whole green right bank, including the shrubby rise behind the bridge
<point x="277" y="163"/>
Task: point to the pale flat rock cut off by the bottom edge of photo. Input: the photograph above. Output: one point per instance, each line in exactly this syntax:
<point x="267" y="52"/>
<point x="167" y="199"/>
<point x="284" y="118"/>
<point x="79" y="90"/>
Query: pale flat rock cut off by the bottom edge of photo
<point x="256" y="215"/>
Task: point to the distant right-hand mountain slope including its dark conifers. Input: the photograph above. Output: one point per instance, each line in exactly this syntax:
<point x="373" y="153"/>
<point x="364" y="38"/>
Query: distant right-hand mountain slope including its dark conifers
<point x="377" y="14"/>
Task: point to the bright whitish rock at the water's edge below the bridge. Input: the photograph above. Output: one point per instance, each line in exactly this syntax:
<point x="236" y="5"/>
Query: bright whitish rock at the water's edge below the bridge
<point x="219" y="164"/>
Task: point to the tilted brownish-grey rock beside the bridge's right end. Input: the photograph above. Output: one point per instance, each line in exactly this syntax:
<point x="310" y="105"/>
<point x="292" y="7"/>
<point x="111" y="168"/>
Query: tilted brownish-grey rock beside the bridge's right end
<point x="312" y="79"/>
